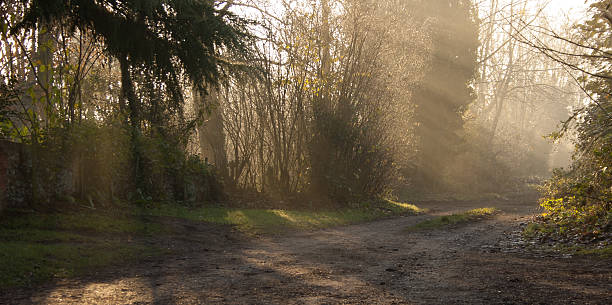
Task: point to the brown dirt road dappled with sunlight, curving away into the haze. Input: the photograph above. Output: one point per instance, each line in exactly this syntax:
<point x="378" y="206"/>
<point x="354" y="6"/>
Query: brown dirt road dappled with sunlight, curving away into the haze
<point x="373" y="263"/>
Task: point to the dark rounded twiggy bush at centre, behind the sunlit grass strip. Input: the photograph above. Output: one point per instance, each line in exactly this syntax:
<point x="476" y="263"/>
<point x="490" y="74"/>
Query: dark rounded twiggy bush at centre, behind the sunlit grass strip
<point x="351" y="159"/>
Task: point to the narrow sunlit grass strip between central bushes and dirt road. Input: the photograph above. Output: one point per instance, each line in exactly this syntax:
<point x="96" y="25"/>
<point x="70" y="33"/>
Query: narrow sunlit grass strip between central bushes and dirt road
<point x="277" y="220"/>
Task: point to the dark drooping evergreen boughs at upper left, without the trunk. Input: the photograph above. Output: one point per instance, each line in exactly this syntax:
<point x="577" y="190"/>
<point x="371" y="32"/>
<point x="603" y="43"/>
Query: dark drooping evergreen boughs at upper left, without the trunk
<point x="163" y="35"/>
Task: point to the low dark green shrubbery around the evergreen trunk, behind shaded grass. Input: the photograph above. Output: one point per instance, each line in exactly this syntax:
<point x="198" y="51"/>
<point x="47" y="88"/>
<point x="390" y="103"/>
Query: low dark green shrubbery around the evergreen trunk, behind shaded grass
<point x="93" y="164"/>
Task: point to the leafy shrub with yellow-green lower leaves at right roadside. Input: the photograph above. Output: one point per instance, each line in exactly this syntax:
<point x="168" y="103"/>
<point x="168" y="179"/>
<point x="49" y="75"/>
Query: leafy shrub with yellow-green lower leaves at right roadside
<point x="578" y="200"/>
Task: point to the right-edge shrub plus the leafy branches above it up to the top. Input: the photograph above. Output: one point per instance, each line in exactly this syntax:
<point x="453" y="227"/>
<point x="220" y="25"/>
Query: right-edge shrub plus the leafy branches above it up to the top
<point x="578" y="200"/>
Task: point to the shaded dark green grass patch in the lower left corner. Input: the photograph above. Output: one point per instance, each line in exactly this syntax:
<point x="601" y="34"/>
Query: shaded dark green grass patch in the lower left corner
<point x="36" y="247"/>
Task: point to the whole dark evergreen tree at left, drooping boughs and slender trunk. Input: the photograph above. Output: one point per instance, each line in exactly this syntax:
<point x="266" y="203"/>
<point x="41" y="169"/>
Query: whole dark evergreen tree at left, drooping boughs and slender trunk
<point x="163" y="38"/>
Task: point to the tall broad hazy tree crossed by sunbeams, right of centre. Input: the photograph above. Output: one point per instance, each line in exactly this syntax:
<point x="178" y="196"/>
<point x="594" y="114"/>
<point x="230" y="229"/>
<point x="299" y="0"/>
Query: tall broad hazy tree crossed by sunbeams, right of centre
<point x="445" y="91"/>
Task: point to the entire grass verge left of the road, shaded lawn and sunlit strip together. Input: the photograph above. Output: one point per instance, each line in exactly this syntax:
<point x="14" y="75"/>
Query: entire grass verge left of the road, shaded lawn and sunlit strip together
<point x="37" y="247"/>
